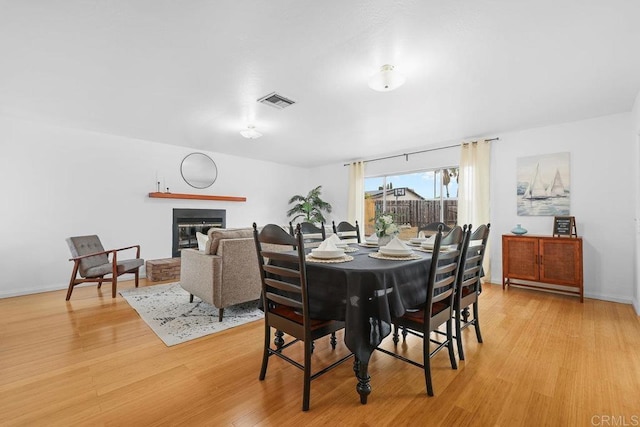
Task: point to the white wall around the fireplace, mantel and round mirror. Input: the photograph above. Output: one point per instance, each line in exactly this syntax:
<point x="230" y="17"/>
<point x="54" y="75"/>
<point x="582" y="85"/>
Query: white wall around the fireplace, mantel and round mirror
<point x="59" y="182"/>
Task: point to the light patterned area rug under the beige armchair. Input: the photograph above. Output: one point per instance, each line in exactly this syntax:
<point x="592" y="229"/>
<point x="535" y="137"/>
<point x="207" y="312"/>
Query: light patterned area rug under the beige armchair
<point x="168" y="312"/>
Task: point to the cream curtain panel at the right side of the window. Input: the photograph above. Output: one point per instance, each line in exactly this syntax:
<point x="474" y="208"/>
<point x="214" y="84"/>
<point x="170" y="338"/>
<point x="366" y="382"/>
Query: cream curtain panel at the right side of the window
<point x="473" y="189"/>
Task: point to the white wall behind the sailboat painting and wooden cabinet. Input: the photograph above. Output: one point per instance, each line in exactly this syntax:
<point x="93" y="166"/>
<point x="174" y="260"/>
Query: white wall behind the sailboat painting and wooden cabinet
<point x="602" y="199"/>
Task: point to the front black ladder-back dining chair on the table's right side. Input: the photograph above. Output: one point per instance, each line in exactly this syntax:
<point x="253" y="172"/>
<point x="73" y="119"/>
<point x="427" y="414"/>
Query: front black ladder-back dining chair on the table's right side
<point x="436" y="310"/>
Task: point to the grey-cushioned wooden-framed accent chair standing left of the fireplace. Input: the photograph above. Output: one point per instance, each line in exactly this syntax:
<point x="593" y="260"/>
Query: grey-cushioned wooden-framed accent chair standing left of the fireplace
<point x="91" y="260"/>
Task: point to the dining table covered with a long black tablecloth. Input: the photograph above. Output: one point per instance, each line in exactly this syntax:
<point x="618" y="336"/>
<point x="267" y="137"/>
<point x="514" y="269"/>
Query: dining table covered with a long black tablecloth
<point x="366" y="290"/>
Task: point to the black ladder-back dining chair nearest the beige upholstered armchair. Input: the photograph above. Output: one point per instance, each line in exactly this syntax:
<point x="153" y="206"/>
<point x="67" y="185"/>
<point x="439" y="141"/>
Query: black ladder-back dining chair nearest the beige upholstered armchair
<point x="285" y="300"/>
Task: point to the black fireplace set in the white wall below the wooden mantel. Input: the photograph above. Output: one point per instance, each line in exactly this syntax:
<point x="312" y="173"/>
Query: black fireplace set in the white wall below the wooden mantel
<point x="186" y="222"/>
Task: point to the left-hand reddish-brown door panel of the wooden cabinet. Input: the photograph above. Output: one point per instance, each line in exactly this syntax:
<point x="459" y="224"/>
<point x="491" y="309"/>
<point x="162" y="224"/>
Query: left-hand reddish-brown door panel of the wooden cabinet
<point x="520" y="257"/>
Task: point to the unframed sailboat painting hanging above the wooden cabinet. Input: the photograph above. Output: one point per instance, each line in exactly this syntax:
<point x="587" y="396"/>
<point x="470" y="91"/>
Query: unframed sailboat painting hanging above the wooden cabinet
<point x="544" y="185"/>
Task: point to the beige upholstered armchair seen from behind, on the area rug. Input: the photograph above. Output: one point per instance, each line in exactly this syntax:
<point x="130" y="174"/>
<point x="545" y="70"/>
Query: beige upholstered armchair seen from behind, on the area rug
<point x="226" y="272"/>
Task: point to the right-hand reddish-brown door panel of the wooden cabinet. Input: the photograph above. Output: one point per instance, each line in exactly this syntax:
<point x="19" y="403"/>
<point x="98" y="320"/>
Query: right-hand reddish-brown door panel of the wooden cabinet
<point x="561" y="261"/>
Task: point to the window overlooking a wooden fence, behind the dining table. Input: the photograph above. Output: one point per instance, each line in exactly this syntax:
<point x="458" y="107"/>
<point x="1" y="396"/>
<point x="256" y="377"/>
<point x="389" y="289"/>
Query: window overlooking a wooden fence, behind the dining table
<point x="414" y="198"/>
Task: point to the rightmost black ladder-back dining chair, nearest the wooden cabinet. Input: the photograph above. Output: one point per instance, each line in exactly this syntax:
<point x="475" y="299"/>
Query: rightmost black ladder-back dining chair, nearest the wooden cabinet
<point x="469" y="285"/>
